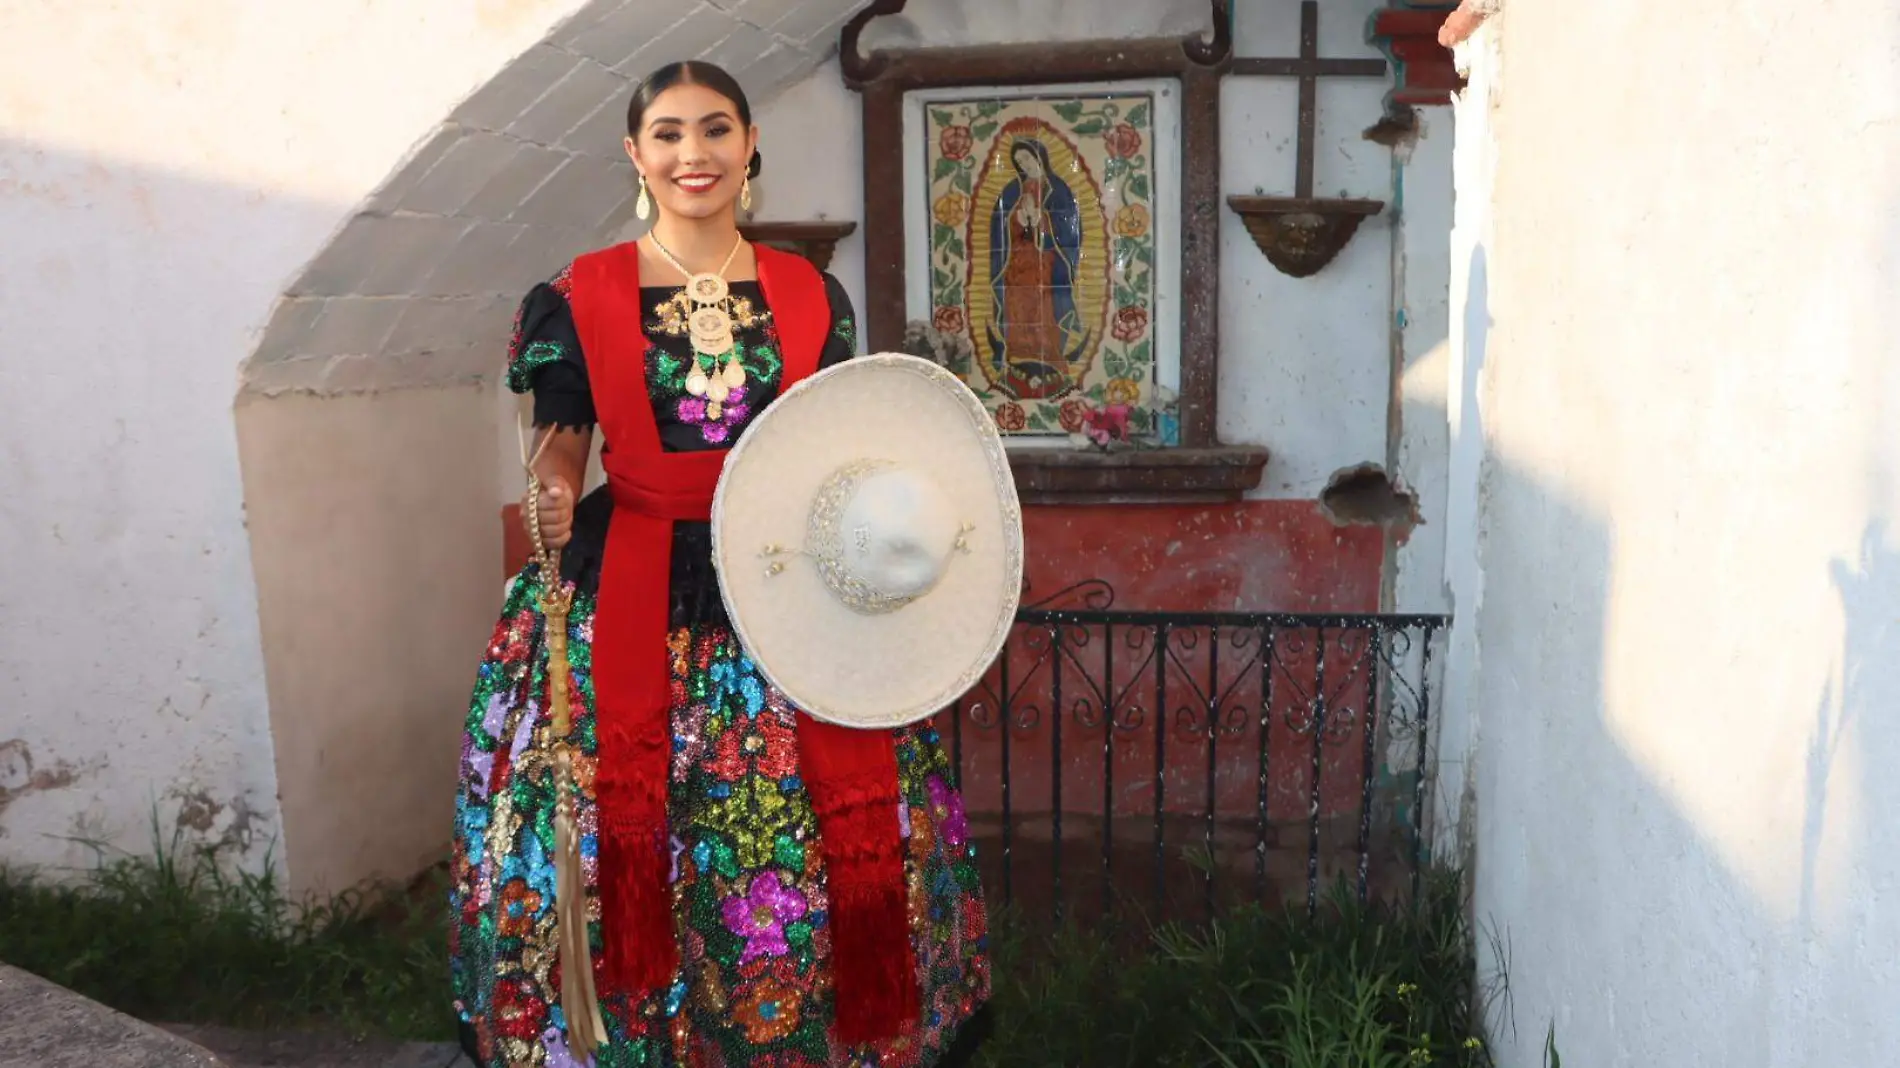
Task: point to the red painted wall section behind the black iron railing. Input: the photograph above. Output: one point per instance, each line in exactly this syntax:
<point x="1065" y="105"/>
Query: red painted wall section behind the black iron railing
<point x="1274" y="556"/>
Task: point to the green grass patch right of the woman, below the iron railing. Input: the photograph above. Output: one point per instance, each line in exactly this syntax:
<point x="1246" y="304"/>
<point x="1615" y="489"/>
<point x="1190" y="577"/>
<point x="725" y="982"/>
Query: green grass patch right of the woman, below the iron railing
<point x="1354" y="987"/>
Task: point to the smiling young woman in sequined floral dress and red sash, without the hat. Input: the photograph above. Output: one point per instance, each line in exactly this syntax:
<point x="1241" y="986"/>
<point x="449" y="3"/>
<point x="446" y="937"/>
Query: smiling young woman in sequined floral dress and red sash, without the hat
<point x="761" y="894"/>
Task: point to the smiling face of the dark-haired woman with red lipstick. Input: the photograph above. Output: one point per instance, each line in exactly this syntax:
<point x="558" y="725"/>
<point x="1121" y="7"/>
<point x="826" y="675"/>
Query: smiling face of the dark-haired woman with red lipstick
<point x="693" y="151"/>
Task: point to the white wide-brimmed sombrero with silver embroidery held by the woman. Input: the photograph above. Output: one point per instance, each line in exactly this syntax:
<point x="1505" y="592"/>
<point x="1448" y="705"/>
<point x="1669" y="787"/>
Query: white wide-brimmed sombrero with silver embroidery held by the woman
<point x="869" y="543"/>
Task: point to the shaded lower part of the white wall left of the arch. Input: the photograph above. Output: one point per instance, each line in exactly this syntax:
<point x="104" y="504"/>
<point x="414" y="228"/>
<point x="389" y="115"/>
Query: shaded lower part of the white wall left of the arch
<point x="128" y="297"/>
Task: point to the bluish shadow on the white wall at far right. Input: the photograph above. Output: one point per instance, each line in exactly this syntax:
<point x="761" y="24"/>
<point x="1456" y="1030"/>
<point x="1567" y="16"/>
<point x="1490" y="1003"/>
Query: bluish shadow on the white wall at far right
<point x="1618" y="917"/>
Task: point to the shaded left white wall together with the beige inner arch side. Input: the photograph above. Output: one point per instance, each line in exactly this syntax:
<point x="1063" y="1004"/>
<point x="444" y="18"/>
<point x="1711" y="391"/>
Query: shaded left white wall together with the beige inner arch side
<point x="166" y="535"/>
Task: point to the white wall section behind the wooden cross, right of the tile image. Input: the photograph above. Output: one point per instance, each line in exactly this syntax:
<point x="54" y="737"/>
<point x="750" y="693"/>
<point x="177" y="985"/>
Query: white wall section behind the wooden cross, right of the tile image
<point x="1306" y="362"/>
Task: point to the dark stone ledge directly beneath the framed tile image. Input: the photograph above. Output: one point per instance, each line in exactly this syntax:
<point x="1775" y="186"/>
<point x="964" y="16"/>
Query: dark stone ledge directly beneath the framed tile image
<point x="1139" y="476"/>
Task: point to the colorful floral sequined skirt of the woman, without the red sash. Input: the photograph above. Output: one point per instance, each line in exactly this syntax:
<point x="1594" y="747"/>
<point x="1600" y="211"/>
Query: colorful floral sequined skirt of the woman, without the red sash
<point x="748" y="877"/>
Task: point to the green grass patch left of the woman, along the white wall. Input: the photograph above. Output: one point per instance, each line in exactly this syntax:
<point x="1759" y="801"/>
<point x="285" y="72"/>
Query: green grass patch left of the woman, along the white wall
<point x="176" y="938"/>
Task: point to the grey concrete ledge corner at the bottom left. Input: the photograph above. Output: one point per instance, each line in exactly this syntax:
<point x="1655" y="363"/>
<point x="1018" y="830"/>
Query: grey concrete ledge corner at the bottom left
<point x="50" y="1027"/>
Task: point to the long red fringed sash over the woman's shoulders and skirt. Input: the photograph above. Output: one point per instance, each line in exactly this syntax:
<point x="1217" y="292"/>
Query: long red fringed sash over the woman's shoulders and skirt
<point x="850" y="774"/>
